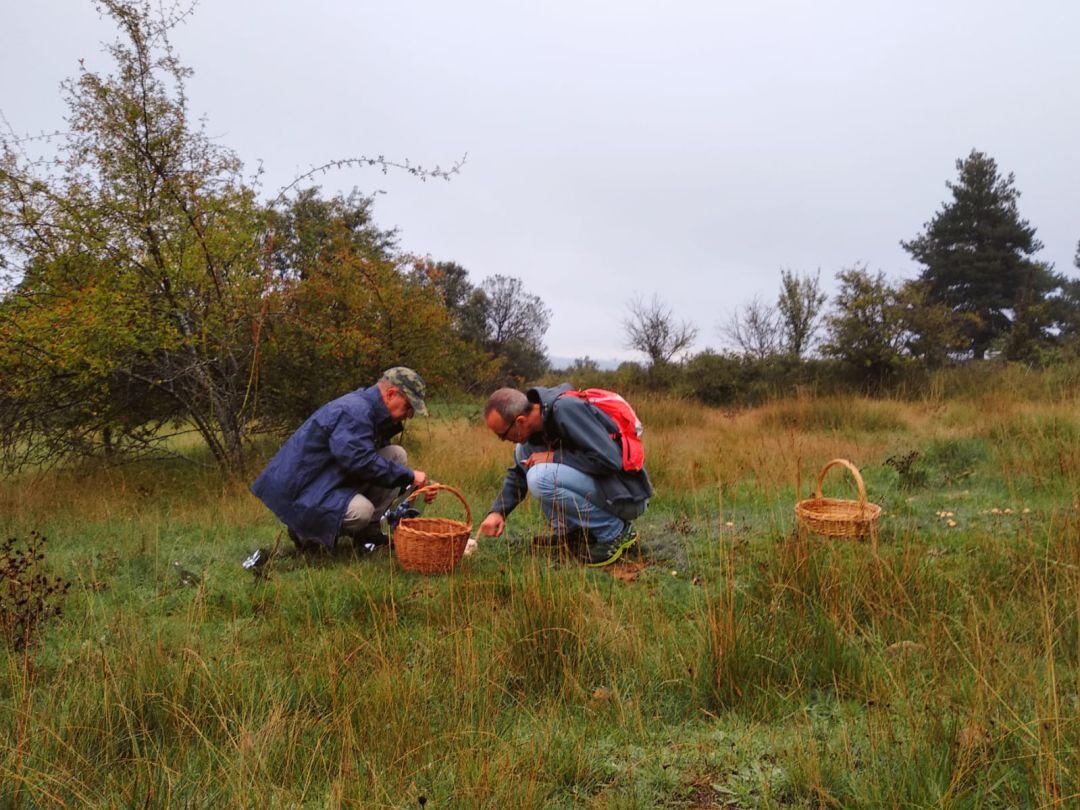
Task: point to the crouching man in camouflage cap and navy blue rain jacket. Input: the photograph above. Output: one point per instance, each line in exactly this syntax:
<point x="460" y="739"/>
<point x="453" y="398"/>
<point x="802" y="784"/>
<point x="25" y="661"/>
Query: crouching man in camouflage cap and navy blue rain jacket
<point x="339" y="472"/>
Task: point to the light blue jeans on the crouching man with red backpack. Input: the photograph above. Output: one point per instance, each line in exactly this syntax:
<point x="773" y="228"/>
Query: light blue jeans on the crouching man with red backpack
<point x="564" y="495"/>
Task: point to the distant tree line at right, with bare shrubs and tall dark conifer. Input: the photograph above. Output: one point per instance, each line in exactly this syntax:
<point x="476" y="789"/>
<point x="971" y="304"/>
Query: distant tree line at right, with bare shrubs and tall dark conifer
<point x="982" y="294"/>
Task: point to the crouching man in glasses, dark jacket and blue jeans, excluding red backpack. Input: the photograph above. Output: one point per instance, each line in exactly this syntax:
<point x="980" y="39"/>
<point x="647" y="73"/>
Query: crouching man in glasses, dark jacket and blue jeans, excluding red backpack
<point x="568" y="455"/>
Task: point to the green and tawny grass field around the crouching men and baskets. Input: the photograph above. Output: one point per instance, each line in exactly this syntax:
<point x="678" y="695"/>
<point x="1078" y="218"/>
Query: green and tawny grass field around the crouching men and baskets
<point x="746" y="666"/>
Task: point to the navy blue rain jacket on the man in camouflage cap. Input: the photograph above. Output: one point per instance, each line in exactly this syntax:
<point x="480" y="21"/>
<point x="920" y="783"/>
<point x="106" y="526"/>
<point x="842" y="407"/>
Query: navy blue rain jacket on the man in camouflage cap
<point x="309" y="482"/>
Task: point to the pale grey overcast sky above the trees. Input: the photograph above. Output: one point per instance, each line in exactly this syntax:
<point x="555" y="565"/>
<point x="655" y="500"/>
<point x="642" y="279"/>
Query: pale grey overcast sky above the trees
<point x="686" y="150"/>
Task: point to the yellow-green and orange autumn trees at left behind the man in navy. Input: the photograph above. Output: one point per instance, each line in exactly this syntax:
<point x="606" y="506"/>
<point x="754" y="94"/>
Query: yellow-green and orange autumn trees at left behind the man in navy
<point x="147" y="291"/>
